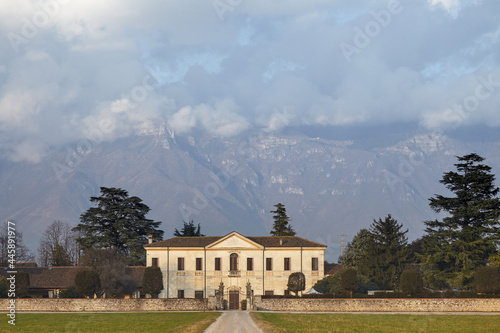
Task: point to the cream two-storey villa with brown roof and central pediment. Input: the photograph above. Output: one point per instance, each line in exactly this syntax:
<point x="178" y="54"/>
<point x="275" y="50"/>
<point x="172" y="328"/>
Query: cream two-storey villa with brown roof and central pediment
<point x="194" y="267"/>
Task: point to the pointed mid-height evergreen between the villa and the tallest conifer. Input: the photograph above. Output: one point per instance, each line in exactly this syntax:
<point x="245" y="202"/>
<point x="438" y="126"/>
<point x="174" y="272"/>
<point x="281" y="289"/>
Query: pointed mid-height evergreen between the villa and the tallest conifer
<point x="386" y="253"/>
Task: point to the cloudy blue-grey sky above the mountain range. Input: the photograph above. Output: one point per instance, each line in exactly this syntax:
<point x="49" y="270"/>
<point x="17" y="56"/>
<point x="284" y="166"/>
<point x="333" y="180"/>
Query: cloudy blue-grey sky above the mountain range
<point x="102" y="70"/>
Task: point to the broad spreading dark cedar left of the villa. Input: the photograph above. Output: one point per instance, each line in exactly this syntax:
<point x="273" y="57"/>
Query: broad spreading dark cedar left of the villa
<point x="118" y="222"/>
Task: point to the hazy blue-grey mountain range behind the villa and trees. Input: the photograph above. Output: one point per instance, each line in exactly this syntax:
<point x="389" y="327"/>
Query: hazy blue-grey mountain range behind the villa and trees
<point x="333" y="184"/>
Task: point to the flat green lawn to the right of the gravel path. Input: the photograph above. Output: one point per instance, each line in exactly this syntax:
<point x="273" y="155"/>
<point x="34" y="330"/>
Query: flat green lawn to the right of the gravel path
<point x="296" y="323"/>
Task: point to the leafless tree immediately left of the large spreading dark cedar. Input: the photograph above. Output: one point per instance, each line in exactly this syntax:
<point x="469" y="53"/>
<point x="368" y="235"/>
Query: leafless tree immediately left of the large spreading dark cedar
<point x="58" y="246"/>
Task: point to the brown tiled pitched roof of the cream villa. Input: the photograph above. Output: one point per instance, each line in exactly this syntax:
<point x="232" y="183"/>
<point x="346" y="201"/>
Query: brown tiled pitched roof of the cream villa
<point x="267" y="241"/>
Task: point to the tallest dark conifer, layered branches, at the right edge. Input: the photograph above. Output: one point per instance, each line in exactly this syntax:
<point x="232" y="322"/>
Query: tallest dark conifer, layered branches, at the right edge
<point x="466" y="238"/>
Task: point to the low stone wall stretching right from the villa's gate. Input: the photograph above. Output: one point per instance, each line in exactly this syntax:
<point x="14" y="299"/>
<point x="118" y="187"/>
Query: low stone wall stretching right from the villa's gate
<point x="379" y="304"/>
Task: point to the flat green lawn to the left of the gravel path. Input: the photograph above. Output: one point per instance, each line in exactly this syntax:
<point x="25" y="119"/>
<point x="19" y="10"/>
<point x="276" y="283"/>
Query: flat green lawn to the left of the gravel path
<point x="184" y="322"/>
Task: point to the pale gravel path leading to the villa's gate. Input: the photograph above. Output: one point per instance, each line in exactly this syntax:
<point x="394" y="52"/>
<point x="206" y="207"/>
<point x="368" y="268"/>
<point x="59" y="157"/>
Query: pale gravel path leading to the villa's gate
<point x="234" y="322"/>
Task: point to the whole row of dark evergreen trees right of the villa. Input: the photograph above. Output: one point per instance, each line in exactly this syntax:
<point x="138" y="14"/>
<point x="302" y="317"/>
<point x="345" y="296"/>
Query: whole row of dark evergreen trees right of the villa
<point x="458" y="252"/>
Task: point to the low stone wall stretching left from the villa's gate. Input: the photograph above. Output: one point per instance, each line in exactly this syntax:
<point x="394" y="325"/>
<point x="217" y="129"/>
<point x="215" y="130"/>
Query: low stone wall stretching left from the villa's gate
<point x="106" y="305"/>
